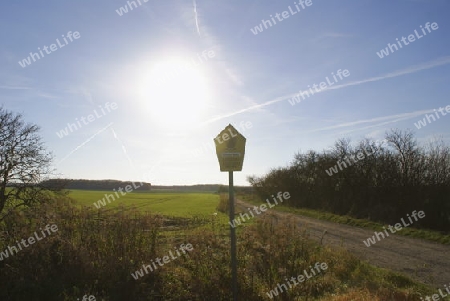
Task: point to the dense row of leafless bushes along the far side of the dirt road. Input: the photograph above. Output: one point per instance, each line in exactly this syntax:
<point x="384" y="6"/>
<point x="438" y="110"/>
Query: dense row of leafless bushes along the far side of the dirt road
<point x="377" y="180"/>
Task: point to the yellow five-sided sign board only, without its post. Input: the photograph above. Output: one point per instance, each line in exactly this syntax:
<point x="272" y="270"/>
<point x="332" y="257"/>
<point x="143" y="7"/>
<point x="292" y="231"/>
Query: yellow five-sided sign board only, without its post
<point x="230" y="149"/>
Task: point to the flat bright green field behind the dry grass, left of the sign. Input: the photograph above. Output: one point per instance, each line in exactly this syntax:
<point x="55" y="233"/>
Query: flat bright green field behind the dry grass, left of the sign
<point x="171" y="204"/>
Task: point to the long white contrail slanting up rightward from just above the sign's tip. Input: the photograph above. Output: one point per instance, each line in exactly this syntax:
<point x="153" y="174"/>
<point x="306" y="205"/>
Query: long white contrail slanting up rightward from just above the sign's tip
<point x="436" y="63"/>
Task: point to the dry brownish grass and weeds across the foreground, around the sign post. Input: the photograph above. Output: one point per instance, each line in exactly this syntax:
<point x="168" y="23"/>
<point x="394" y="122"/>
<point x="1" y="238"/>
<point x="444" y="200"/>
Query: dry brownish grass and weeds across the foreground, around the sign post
<point x="95" y="252"/>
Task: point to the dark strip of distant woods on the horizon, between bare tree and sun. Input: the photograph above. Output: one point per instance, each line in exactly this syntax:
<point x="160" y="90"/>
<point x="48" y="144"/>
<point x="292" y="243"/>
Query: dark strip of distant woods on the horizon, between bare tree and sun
<point x="93" y="184"/>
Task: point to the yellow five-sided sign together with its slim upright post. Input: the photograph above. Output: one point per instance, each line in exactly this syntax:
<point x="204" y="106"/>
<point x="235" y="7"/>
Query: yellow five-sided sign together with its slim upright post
<point x="230" y="150"/>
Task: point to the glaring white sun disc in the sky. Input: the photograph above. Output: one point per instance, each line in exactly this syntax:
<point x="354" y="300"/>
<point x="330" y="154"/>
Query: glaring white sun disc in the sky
<point x="176" y="93"/>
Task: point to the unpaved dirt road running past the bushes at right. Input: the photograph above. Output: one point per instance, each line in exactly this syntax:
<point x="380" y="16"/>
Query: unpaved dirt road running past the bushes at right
<point x="421" y="260"/>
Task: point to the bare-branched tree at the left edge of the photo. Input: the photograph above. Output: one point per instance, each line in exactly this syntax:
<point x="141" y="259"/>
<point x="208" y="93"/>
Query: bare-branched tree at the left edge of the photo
<point x="23" y="163"/>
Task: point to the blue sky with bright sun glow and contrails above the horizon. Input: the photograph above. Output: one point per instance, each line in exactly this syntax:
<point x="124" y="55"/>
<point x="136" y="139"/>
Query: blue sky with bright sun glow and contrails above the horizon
<point x="138" y="90"/>
